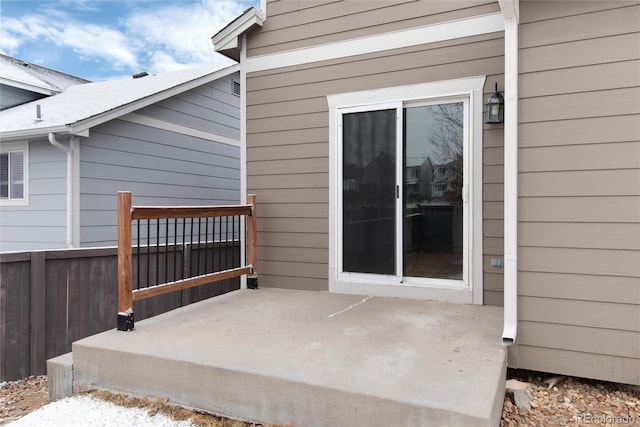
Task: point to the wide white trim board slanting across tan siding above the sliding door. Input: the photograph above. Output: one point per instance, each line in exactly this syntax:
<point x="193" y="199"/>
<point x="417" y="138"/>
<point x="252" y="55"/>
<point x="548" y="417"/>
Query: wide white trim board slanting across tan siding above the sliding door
<point x="449" y="30"/>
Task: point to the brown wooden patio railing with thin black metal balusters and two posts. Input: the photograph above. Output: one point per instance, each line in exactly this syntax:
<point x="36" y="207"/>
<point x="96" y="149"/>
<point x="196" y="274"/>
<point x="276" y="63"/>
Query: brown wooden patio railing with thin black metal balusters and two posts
<point x="150" y="235"/>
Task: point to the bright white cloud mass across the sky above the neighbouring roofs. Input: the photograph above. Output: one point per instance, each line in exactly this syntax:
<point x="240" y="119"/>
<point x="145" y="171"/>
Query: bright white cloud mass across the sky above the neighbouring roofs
<point x="154" y="36"/>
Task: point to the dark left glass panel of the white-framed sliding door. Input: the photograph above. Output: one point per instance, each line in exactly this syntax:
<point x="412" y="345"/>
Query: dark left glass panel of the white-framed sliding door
<point x="369" y="164"/>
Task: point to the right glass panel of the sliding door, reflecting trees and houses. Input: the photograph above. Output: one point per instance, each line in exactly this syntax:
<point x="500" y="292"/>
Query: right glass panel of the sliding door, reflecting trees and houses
<point x="432" y="196"/>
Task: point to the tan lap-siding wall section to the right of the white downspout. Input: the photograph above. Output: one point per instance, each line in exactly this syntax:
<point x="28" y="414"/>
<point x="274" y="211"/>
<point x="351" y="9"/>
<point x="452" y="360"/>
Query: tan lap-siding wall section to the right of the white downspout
<point x="579" y="195"/>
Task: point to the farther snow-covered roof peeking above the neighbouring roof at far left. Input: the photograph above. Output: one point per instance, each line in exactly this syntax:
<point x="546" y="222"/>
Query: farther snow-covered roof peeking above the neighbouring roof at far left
<point x="22" y="81"/>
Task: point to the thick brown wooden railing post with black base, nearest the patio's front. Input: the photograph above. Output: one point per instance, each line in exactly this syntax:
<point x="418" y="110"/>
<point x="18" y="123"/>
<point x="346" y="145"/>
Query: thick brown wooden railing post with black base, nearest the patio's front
<point x="125" y="264"/>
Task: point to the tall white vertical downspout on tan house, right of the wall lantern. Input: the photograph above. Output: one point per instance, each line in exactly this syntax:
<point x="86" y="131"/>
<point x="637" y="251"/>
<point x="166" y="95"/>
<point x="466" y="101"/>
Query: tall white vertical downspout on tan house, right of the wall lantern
<point x="510" y="11"/>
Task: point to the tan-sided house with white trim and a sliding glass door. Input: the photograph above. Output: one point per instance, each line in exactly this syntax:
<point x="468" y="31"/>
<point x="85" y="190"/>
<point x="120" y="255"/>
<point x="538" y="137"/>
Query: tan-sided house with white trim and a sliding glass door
<point x="554" y="193"/>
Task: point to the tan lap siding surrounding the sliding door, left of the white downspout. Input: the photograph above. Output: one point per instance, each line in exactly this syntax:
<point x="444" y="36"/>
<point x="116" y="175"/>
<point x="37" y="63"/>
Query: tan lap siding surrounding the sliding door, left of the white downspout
<point x="288" y="123"/>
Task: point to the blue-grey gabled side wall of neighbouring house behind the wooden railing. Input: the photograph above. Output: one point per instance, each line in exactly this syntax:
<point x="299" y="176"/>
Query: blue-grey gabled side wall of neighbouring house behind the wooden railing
<point x="177" y="152"/>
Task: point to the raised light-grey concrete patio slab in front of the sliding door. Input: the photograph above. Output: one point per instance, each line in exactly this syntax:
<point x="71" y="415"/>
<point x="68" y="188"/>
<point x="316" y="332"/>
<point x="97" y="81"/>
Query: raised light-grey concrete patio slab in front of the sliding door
<point x="310" y="358"/>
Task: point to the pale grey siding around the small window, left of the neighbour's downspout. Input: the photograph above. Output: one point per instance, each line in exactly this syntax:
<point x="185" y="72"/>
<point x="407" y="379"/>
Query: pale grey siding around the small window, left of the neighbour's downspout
<point x="42" y="223"/>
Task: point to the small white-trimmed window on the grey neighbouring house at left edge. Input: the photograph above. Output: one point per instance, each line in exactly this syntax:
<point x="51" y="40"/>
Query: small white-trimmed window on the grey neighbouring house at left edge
<point x="14" y="160"/>
